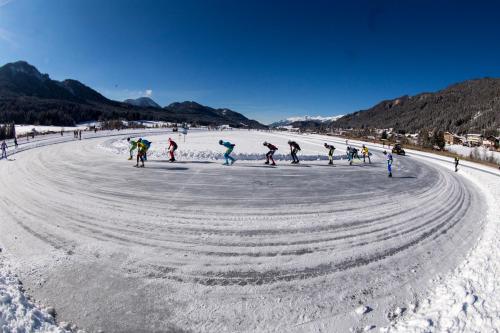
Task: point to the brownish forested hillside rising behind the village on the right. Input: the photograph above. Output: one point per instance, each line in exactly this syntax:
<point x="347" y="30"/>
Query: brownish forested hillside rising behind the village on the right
<point x="471" y="105"/>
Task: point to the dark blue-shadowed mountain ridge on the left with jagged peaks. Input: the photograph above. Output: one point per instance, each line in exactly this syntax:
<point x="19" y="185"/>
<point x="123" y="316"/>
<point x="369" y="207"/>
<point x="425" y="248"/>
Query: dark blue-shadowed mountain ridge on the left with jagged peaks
<point x="28" y="96"/>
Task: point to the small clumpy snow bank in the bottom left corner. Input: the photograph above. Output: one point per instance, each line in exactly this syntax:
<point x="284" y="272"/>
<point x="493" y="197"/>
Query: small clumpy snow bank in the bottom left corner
<point x="17" y="312"/>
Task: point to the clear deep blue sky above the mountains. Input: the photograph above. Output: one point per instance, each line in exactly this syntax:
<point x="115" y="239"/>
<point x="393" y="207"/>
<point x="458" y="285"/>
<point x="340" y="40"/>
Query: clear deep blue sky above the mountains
<point x="266" y="59"/>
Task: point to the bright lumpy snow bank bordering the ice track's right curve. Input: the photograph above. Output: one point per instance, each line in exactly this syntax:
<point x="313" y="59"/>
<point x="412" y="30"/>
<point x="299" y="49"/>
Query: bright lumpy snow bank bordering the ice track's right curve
<point x="468" y="298"/>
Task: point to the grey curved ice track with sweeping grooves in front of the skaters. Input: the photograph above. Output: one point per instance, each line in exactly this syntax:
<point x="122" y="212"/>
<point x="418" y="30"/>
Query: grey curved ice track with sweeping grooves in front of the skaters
<point x="323" y="239"/>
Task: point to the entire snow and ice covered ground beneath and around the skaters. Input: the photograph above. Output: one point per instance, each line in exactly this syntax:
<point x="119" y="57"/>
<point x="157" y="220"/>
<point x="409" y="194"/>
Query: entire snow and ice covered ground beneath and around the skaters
<point x="198" y="247"/>
